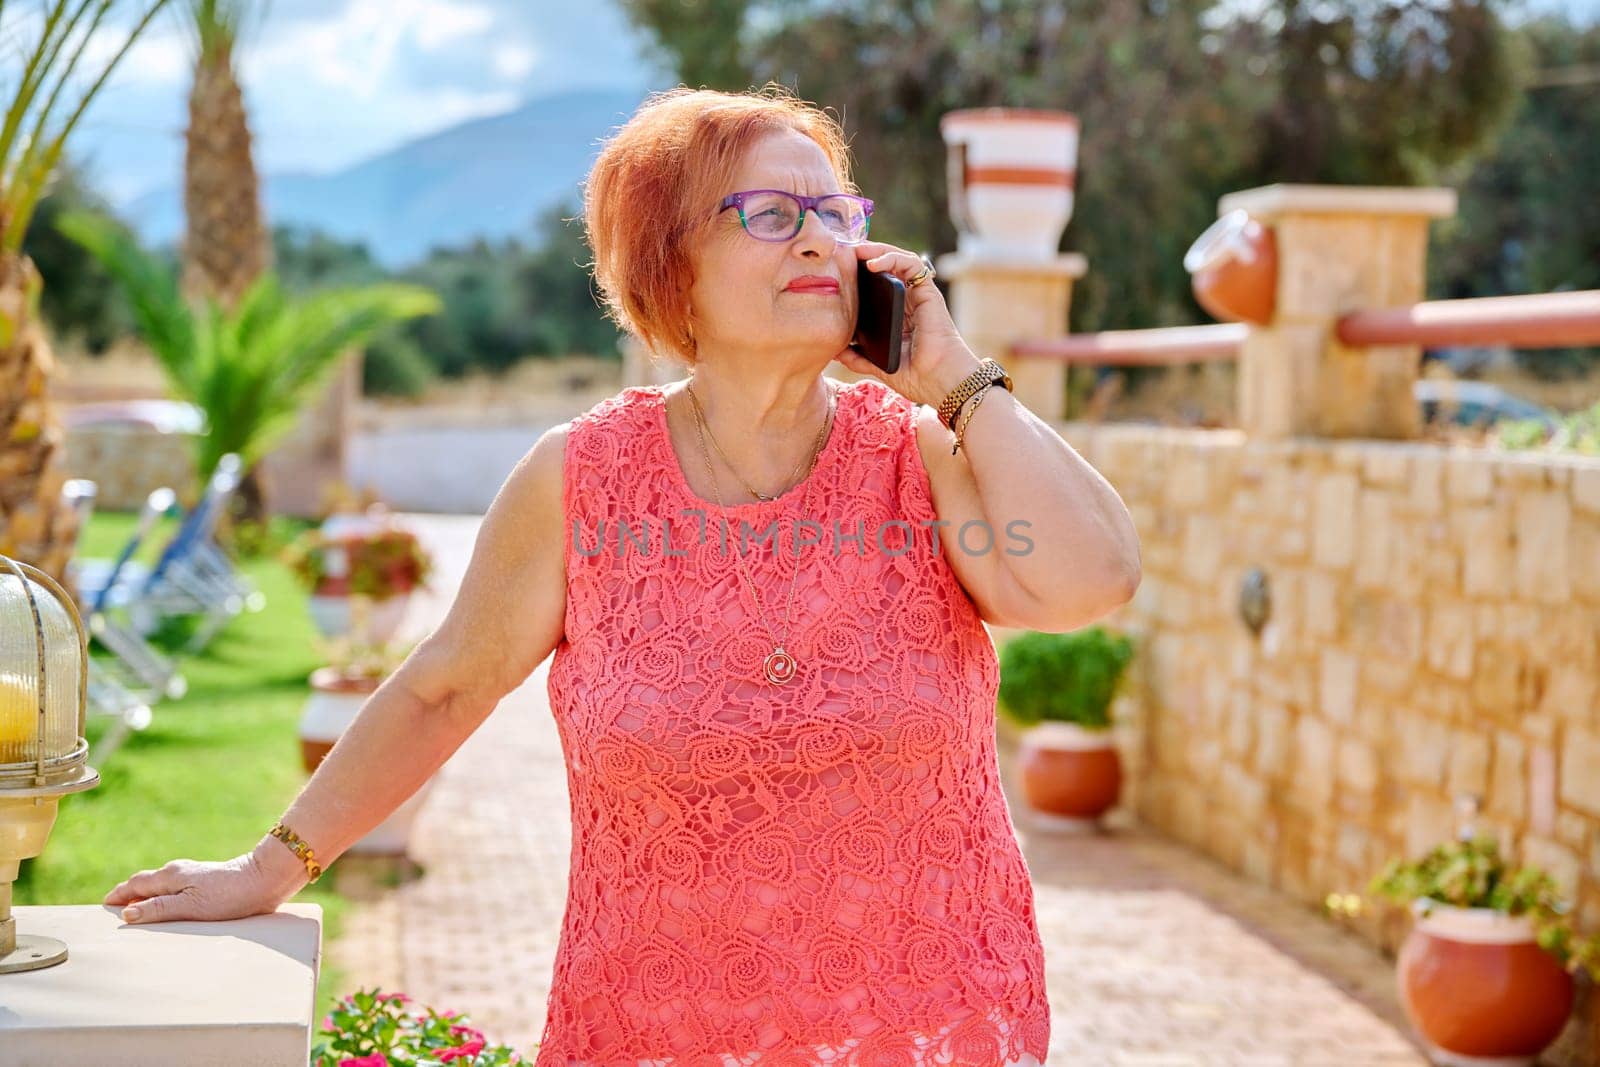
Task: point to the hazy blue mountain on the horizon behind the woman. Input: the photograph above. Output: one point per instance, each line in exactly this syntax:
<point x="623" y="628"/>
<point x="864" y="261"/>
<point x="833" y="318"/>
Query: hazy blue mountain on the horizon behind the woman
<point x="481" y="178"/>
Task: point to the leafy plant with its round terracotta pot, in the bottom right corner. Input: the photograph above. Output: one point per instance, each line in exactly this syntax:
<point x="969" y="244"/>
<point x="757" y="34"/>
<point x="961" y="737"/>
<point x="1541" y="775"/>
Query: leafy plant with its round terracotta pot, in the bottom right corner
<point x="1487" y="970"/>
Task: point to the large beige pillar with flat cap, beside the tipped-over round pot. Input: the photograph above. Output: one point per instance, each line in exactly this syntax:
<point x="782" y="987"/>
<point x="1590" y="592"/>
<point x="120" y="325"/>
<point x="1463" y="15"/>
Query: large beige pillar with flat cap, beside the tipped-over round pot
<point x="1340" y="249"/>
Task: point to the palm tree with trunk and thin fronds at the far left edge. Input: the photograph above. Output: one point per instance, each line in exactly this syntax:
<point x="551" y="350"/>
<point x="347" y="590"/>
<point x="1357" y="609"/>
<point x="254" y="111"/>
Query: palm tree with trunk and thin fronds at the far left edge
<point x="41" y="113"/>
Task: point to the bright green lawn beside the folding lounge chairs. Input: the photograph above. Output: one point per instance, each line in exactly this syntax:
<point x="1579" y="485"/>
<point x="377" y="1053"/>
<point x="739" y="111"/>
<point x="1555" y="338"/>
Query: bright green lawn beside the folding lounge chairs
<point x="212" y="773"/>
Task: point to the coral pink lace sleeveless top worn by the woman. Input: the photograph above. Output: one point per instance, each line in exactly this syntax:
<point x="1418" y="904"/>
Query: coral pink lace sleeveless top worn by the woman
<point x="790" y="876"/>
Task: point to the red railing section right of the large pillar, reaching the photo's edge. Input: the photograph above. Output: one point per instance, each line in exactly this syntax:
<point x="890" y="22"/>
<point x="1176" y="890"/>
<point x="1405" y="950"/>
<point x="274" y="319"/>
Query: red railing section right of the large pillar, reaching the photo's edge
<point x="1548" y="321"/>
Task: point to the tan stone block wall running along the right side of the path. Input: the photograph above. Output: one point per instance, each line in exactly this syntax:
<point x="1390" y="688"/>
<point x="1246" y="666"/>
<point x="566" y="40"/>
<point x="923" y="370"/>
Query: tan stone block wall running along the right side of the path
<point x="1434" y="631"/>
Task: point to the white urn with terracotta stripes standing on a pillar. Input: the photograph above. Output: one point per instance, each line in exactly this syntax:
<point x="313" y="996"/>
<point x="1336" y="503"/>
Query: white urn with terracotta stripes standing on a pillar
<point x="1012" y="175"/>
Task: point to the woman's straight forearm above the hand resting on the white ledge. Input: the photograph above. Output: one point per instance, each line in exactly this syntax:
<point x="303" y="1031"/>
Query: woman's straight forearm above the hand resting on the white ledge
<point x="385" y="756"/>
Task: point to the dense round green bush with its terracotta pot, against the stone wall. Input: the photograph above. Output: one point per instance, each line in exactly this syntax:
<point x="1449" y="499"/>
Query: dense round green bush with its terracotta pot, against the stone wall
<point x="1060" y="689"/>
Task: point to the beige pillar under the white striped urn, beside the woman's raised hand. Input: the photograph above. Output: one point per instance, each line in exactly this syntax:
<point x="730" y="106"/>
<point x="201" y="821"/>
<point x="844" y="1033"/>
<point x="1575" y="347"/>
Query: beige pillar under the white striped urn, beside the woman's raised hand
<point x="998" y="303"/>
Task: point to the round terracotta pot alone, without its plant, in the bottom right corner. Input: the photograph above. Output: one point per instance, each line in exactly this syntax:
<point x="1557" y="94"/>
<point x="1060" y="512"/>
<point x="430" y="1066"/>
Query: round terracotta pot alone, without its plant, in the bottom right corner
<point x="1479" y="989"/>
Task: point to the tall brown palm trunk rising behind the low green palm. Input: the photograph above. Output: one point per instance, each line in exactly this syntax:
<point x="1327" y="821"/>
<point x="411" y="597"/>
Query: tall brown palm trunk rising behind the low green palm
<point x="226" y="241"/>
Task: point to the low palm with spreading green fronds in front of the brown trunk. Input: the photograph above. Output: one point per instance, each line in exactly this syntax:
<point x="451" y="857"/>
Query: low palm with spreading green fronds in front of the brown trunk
<point x="254" y="367"/>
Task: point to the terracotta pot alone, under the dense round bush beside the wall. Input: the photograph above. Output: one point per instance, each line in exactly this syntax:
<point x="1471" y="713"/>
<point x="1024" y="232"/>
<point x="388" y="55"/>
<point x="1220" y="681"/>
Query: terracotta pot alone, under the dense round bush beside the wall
<point x="1071" y="777"/>
